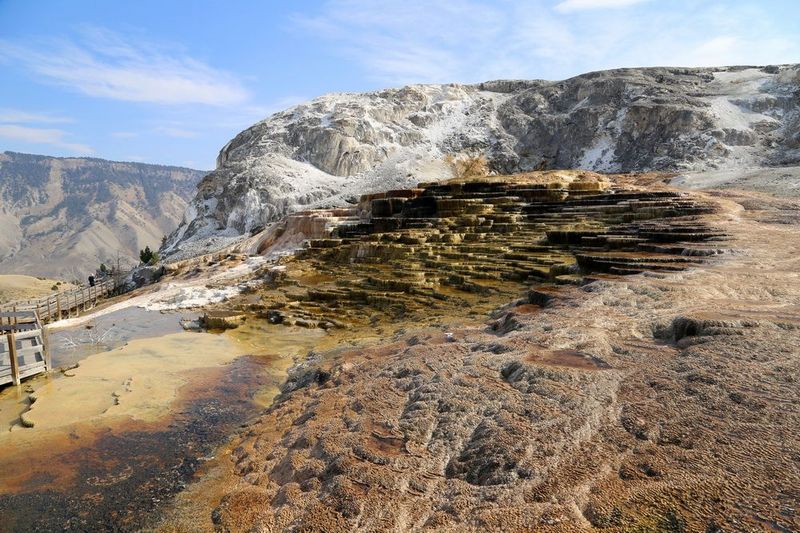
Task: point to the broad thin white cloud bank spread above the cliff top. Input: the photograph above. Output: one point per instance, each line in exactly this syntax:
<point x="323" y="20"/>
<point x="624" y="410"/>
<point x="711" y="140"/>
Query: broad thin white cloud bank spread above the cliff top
<point x="414" y="41"/>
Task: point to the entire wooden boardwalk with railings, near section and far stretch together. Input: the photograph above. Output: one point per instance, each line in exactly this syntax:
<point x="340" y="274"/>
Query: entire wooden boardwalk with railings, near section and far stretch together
<point x="23" y="336"/>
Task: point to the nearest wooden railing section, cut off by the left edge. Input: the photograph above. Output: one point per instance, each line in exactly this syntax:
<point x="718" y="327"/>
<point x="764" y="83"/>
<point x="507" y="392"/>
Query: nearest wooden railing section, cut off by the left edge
<point x="23" y="346"/>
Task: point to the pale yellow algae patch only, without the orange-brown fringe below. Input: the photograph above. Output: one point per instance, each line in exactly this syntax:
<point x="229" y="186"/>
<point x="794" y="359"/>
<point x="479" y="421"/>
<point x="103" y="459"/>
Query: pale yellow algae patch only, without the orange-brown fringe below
<point x="141" y="379"/>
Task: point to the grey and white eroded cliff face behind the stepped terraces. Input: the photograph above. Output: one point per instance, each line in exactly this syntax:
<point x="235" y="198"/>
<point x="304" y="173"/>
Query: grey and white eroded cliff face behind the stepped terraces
<point x="333" y="149"/>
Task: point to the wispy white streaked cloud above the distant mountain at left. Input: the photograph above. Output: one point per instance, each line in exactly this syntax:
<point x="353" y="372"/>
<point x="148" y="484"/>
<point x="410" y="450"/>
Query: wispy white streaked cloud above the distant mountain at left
<point x="104" y="64"/>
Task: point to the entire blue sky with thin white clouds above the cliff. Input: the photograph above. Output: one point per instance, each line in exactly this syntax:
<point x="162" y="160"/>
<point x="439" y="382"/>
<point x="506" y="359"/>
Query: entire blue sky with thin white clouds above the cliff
<point x="171" y="82"/>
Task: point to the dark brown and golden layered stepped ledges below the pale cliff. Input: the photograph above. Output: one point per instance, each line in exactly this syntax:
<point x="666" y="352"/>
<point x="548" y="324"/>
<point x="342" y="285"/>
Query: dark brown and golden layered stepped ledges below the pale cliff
<point x="465" y="247"/>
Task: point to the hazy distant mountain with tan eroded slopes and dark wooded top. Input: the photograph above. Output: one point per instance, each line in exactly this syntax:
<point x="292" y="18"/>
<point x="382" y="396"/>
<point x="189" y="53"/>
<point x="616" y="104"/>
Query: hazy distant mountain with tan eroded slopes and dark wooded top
<point x="63" y="216"/>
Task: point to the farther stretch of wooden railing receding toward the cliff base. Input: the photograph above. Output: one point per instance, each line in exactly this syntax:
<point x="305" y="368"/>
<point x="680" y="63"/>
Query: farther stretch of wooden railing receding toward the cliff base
<point x="64" y="304"/>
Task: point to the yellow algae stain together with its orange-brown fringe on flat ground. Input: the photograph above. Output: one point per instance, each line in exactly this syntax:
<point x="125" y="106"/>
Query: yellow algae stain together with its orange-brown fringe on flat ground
<point x="142" y="387"/>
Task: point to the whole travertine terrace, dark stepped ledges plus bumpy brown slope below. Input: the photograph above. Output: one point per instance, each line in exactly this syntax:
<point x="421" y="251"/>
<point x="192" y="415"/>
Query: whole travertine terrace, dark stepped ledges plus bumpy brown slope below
<point x="628" y="376"/>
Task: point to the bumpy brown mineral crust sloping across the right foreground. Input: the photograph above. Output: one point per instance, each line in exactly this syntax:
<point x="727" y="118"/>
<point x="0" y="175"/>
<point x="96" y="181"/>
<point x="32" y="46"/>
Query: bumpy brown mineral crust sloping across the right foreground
<point x="662" y="402"/>
